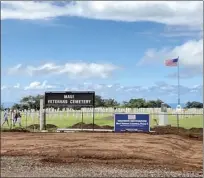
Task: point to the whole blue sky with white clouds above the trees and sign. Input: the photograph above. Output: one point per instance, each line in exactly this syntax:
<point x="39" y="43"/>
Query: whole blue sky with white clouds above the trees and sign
<point x="102" y="46"/>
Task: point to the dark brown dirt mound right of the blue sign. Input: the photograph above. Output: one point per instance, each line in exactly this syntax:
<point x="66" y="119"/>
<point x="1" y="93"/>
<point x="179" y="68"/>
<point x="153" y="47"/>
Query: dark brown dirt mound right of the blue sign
<point x="196" y="133"/>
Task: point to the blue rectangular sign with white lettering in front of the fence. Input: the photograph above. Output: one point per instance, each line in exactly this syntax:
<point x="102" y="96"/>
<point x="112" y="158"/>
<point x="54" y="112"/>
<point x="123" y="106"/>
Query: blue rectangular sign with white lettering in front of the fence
<point x="132" y="123"/>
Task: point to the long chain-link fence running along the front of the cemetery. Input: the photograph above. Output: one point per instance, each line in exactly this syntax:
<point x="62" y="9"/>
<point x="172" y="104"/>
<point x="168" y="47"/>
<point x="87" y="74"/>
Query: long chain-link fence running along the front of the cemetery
<point x="82" y="120"/>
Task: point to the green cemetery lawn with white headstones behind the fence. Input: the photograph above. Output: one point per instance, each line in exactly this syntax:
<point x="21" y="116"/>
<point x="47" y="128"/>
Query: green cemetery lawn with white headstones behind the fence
<point x="63" y="120"/>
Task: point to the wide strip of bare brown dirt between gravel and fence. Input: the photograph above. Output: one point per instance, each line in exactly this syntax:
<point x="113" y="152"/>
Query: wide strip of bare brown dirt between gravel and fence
<point x="136" y="150"/>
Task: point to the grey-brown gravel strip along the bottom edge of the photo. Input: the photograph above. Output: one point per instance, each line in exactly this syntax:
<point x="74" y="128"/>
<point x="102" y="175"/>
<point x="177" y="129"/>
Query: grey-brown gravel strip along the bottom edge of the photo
<point x="33" y="167"/>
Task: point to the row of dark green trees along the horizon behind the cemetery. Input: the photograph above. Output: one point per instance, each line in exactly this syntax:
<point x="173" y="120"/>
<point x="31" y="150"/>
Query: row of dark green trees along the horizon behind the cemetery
<point x="33" y="102"/>
